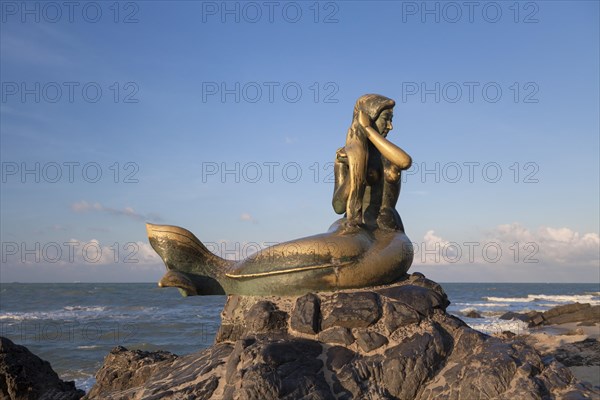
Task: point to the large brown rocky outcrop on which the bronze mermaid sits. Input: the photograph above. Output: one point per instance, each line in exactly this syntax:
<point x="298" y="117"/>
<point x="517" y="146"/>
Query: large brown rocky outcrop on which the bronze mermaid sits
<point x="394" y="342"/>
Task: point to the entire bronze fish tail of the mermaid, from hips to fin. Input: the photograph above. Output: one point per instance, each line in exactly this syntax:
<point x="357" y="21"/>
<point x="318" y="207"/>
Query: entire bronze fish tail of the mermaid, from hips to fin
<point x="338" y="259"/>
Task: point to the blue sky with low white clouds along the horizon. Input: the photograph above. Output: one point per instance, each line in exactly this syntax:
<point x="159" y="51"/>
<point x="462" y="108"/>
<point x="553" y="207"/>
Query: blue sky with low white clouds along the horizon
<point x="171" y="95"/>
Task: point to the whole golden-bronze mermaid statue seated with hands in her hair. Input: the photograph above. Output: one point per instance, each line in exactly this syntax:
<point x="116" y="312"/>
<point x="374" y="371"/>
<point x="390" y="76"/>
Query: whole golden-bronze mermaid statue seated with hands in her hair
<point x="367" y="247"/>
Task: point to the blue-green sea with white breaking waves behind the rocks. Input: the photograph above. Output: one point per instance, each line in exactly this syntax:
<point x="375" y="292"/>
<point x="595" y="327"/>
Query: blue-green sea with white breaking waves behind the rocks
<point x="75" y="325"/>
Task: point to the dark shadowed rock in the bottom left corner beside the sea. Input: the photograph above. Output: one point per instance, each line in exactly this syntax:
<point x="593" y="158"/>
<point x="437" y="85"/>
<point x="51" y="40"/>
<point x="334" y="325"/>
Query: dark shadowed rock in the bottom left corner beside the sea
<point x="25" y="376"/>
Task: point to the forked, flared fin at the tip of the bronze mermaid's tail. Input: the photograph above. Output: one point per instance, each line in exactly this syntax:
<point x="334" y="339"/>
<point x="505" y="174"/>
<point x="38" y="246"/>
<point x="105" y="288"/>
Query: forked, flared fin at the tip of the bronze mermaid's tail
<point x="191" y="267"/>
